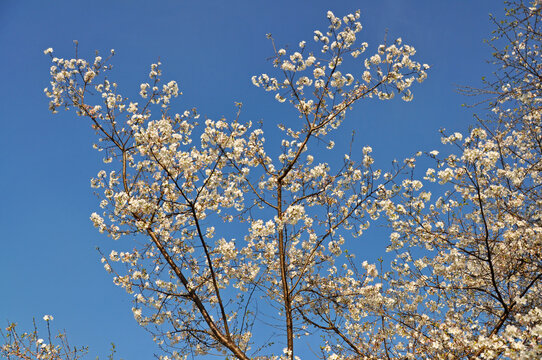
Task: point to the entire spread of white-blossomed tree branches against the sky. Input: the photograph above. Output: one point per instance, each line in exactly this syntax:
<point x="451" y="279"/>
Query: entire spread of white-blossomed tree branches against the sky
<point x="220" y="224"/>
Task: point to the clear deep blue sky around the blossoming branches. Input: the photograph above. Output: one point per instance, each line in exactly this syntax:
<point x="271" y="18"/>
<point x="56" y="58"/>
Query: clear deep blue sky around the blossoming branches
<point x="48" y="260"/>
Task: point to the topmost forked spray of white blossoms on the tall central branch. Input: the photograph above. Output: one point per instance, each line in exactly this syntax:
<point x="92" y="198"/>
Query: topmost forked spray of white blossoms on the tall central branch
<point x="314" y="84"/>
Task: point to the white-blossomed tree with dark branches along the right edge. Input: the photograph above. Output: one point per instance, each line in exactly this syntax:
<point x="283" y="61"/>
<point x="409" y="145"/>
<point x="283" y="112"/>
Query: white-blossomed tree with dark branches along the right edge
<point x="468" y="271"/>
